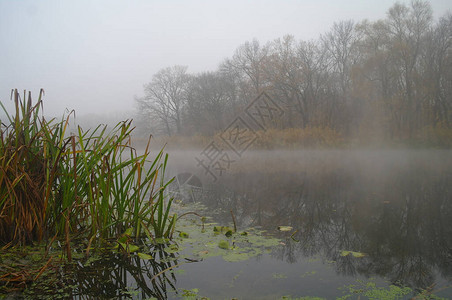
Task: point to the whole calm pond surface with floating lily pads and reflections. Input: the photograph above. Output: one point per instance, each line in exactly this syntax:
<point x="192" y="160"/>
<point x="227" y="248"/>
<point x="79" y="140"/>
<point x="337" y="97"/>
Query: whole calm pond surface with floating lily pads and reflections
<point x="362" y="224"/>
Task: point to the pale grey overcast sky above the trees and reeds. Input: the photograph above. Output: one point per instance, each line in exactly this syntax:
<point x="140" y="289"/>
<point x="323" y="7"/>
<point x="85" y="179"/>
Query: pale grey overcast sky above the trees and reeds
<point x="95" y="56"/>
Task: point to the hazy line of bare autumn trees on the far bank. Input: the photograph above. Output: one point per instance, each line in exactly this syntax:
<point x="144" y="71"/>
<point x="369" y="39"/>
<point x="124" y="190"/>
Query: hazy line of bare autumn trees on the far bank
<point x="388" y="79"/>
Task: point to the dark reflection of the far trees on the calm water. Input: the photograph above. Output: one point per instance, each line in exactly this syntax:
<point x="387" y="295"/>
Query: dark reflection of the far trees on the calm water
<point x="401" y="217"/>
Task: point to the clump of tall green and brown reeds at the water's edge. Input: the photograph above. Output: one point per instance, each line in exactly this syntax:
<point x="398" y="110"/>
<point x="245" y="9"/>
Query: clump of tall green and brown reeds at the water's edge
<point x="57" y="185"/>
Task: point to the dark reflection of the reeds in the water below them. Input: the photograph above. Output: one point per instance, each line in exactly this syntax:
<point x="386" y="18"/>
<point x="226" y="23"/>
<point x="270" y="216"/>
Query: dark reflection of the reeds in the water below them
<point x="118" y="276"/>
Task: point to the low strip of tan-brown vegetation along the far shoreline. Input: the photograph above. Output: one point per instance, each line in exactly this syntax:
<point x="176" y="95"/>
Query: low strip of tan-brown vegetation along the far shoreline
<point x="439" y="137"/>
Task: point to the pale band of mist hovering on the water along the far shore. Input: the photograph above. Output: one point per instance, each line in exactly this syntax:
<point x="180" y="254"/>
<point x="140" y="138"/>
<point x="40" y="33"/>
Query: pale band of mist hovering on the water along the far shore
<point x="375" y="161"/>
